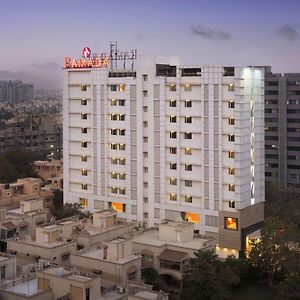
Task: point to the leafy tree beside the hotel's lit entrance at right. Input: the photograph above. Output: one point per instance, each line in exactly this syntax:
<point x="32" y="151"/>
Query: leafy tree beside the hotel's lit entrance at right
<point x="269" y="253"/>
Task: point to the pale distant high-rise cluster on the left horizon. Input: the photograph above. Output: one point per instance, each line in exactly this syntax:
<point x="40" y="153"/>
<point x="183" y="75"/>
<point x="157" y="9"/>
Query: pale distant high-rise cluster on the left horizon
<point x="14" y="91"/>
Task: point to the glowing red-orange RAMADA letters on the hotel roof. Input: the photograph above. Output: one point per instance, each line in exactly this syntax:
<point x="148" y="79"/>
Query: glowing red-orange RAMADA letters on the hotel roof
<point x="86" y="63"/>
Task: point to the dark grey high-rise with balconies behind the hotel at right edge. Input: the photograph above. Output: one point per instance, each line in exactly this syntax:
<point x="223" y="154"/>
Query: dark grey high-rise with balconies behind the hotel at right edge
<point x="282" y="128"/>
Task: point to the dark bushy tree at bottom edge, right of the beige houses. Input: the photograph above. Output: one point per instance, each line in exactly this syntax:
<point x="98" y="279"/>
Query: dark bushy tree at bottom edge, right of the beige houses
<point x="205" y="277"/>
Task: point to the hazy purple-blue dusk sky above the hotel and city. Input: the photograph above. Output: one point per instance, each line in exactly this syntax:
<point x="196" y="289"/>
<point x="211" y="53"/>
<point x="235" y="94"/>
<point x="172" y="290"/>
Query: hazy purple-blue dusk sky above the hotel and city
<point x="37" y="34"/>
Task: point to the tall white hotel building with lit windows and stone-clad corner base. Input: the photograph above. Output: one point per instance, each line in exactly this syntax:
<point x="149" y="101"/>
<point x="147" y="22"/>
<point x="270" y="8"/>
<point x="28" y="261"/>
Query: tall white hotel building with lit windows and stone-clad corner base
<point x="163" y="141"/>
